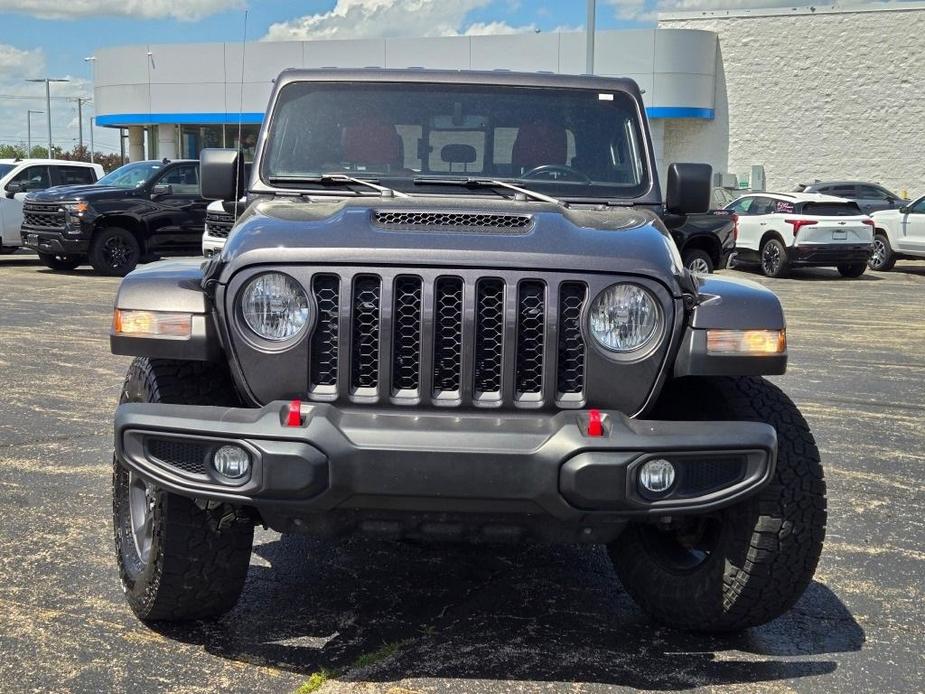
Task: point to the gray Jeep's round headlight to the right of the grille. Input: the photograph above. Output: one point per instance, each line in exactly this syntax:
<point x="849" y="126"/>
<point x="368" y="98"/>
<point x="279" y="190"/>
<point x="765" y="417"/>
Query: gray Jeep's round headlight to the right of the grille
<point x="623" y="318"/>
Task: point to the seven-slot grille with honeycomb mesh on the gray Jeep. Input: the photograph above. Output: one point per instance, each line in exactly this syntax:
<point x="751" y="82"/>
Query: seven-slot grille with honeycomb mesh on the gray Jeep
<point x="447" y="339"/>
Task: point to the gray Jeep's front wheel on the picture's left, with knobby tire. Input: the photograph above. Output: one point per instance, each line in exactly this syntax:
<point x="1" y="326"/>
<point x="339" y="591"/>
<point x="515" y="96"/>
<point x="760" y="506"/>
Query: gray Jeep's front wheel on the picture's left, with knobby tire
<point x="178" y="559"/>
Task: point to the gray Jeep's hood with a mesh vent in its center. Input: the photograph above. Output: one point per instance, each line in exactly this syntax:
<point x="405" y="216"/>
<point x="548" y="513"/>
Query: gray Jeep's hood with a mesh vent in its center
<point x="382" y="231"/>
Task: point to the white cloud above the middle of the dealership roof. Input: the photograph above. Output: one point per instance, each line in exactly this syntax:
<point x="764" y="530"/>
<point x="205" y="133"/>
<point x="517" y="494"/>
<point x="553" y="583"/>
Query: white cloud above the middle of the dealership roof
<point x="387" y="18"/>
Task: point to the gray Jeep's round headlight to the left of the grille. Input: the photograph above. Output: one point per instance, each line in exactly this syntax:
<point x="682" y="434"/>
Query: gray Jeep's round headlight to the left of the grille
<point x="274" y="306"/>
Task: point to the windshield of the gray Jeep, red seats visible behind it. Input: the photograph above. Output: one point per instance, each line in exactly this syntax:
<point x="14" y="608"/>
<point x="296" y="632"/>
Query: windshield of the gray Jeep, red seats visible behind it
<point x="565" y="142"/>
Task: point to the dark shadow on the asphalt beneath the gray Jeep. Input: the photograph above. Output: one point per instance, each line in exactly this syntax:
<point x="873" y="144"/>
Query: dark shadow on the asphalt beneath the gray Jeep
<point x="375" y="611"/>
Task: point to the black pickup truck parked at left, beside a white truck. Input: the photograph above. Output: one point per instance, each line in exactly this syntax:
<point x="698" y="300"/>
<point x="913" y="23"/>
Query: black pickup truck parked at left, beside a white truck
<point x="138" y="212"/>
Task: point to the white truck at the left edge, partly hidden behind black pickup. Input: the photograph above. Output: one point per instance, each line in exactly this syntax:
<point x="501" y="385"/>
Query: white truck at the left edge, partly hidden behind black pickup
<point x="21" y="176"/>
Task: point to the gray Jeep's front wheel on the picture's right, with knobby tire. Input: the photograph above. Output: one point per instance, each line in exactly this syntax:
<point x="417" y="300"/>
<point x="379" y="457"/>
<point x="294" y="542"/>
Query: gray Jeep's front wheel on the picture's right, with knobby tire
<point x="746" y="564"/>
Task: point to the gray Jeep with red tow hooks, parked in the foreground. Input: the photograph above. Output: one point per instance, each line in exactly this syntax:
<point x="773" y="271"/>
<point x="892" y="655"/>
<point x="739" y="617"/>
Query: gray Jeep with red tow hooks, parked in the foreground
<point x="453" y="310"/>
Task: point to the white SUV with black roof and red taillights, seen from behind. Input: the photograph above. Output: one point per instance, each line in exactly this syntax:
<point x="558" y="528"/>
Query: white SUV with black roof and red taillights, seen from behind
<point x="780" y="231"/>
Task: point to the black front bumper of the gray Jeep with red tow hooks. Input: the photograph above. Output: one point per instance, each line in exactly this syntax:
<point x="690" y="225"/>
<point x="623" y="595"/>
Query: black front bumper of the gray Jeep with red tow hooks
<point x="535" y="465"/>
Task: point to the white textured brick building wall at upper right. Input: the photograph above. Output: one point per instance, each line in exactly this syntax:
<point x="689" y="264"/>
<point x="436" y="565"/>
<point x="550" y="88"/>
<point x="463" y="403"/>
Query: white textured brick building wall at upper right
<point x="824" y="94"/>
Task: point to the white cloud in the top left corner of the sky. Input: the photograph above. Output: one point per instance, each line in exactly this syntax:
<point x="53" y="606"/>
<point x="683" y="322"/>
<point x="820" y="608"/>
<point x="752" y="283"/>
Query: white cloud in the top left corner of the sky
<point x="185" y="10"/>
